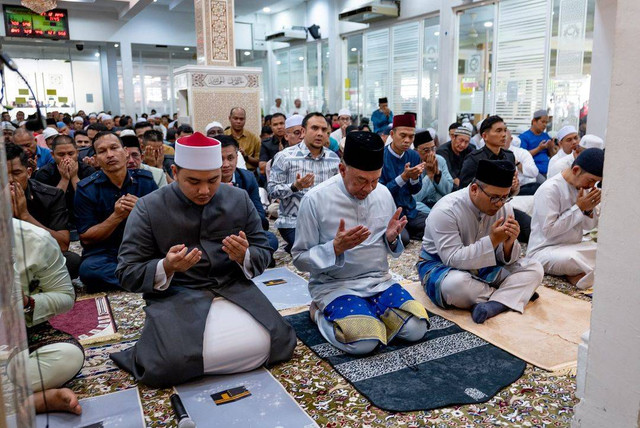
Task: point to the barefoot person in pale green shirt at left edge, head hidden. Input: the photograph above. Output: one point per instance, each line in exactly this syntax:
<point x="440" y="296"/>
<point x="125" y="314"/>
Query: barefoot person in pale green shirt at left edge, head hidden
<point x="54" y="357"/>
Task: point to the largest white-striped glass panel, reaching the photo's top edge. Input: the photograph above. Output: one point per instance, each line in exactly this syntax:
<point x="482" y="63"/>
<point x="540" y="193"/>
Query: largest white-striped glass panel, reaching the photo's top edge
<point x="519" y="80"/>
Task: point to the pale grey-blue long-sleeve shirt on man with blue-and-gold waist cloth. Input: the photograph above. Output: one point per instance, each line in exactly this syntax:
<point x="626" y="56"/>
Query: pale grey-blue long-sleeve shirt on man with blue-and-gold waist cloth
<point x="361" y="271"/>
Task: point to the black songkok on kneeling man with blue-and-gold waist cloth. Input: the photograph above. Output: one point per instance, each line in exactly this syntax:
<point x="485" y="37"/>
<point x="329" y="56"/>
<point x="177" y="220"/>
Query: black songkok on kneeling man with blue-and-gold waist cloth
<point x="364" y="151"/>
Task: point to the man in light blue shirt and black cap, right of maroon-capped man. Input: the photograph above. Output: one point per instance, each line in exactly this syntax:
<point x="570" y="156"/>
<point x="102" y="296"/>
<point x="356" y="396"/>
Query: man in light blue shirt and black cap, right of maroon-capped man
<point x="436" y="180"/>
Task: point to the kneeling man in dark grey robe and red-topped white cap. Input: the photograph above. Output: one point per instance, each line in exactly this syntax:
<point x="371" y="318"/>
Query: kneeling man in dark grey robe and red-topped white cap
<point x="192" y="247"/>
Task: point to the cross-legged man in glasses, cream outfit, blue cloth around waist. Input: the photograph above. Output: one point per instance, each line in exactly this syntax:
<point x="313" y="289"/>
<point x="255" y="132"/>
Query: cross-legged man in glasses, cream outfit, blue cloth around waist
<point x="470" y="256"/>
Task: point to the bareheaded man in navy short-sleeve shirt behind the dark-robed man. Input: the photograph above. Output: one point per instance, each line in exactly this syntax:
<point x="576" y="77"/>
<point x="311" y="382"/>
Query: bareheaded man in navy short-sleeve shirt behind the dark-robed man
<point x="103" y="202"/>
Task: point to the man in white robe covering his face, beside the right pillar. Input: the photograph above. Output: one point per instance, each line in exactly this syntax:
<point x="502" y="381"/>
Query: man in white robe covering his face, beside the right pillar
<point x="564" y="208"/>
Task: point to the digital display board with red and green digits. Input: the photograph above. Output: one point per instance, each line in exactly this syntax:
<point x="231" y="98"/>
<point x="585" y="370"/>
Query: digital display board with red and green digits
<point x="22" y="22"/>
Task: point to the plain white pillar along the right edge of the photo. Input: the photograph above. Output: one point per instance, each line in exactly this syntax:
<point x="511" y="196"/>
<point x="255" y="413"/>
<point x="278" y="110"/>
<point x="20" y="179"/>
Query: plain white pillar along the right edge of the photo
<point x="612" y="382"/>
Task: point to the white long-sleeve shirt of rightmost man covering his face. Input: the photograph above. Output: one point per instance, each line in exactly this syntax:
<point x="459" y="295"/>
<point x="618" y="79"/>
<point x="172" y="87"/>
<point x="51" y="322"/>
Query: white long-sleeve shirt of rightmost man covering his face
<point x="556" y="218"/>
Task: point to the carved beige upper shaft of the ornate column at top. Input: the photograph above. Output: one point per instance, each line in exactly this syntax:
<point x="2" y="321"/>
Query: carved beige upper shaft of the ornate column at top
<point x="214" y="32"/>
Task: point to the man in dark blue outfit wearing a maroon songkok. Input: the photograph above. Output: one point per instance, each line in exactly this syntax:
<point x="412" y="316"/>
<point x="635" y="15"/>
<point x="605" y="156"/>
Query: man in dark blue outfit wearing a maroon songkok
<point x="401" y="174"/>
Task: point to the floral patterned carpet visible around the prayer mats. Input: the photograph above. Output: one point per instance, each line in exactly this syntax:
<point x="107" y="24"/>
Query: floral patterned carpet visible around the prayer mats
<point x="537" y="399"/>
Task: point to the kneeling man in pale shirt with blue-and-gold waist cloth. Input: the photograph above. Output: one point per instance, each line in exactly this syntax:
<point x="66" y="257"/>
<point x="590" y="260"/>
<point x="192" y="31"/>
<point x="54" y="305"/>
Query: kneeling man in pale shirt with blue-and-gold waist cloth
<point x="346" y="227"/>
